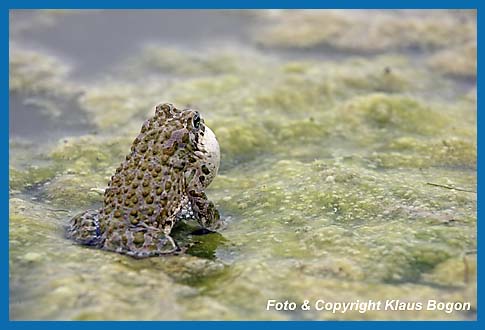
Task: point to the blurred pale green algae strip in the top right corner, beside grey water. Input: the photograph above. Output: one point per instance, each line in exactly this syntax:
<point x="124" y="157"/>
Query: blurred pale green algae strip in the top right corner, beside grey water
<point x="352" y="30"/>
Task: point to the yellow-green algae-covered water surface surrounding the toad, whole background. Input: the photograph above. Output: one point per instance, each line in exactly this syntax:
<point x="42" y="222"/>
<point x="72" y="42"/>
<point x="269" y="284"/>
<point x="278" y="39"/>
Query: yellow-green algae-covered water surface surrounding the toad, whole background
<point x="348" y="160"/>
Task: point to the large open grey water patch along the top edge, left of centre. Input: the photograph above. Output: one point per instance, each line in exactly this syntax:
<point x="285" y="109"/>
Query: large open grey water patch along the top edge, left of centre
<point x="96" y="40"/>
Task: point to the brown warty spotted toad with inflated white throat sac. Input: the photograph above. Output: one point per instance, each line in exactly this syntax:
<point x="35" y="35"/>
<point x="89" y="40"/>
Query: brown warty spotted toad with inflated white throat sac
<point x="161" y="182"/>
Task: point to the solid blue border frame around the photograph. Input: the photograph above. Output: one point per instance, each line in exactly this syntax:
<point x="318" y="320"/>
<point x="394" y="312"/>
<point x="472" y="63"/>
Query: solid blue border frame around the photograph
<point x="6" y="5"/>
